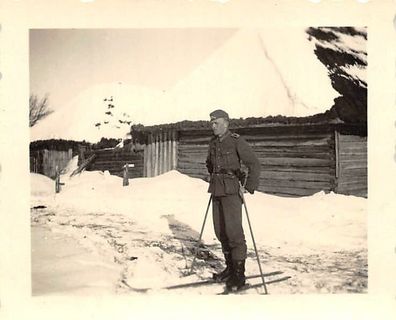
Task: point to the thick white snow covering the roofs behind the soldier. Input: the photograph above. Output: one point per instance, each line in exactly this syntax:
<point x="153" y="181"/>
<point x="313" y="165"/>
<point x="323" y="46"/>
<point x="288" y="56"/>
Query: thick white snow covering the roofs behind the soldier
<point x="250" y="75"/>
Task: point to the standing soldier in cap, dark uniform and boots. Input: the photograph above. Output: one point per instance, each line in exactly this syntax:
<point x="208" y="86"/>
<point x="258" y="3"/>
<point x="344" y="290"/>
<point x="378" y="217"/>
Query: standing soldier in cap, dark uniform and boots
<point x="226" y="151"/>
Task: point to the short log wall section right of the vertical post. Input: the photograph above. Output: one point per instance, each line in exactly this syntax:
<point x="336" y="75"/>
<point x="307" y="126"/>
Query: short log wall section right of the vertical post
<point x="351" y="168"/>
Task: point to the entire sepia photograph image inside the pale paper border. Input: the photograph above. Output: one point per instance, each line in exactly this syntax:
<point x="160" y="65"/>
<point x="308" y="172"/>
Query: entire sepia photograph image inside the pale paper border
<point x="207" y="161"/>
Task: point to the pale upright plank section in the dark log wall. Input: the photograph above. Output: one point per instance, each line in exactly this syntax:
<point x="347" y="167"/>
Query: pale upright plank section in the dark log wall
<point x="160" y="153"/>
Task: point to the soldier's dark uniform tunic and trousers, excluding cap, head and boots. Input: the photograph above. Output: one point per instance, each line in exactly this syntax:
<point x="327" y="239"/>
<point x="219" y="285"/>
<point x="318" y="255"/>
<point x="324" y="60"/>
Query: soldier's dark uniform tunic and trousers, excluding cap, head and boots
<point x="223" y="162"/>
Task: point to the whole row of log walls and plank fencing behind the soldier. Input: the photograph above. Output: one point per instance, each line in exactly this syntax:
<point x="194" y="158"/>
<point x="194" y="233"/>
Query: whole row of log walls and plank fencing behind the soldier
<point x="296" y="159"/>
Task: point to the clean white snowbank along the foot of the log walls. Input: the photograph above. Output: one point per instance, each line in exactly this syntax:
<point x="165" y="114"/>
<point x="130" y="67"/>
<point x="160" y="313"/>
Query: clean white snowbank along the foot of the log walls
<point x="322" y="221"/>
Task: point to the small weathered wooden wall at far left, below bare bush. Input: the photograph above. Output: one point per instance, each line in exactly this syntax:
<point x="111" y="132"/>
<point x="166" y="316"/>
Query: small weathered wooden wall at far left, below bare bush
<point x="45" y="161"/>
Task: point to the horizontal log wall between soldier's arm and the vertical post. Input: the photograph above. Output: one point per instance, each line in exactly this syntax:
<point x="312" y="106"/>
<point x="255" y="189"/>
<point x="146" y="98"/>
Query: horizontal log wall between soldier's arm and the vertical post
<point x="295" y="164"/>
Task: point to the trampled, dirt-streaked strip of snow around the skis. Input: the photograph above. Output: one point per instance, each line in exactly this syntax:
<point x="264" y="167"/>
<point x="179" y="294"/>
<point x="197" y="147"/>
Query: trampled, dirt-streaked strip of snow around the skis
<point x="149" y="261"/>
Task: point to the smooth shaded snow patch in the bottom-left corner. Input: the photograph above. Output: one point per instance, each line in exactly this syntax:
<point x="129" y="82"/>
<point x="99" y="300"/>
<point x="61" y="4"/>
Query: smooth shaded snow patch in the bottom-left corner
<point x="61" y="266"/>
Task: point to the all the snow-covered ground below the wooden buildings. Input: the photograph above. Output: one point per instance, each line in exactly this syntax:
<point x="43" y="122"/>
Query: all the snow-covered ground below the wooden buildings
<point x="146" y="232"/>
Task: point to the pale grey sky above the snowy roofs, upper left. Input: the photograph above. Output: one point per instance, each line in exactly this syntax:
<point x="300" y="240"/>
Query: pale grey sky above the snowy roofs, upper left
<point x="64" y="62"/>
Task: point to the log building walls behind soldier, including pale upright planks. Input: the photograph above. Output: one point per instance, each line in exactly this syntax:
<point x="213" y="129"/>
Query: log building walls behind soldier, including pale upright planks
<point x="296" y="159"/>
